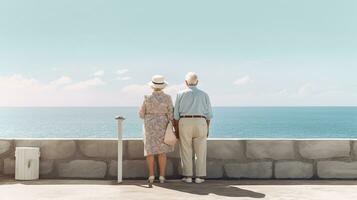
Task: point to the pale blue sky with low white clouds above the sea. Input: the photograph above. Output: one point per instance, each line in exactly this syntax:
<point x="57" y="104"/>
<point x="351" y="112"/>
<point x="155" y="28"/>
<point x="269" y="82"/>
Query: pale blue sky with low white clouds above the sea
<point x="246" y="53"/>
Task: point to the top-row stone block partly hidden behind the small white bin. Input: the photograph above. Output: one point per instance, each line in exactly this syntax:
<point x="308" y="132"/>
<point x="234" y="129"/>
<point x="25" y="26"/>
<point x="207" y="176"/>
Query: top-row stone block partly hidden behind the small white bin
<point x="51" y="149"/>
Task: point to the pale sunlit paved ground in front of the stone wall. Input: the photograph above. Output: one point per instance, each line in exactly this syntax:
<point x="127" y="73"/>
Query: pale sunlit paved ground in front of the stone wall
<point x="138" y="190"/>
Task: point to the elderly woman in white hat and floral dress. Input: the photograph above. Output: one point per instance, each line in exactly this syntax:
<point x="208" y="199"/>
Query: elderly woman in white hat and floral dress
<point x="157" y="111"/>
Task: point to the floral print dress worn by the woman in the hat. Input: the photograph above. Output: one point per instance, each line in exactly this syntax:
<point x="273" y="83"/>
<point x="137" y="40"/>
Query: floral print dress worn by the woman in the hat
<point x="156" y="110"/>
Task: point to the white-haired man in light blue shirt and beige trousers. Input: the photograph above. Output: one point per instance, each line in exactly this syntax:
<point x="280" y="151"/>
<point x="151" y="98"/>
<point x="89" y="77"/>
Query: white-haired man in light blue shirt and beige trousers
<point x="192" y="114"/>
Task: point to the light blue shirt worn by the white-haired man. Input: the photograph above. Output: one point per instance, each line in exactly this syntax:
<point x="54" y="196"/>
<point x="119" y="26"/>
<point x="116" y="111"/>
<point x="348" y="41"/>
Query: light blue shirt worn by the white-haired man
<point x="192" y="101"/>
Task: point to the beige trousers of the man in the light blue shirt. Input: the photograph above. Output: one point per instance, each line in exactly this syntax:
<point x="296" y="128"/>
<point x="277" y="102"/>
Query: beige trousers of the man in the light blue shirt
<point x="193" y="141"/>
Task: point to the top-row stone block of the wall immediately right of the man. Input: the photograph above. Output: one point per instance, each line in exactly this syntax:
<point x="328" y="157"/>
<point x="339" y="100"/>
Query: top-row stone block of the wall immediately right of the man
<point x="225" y="149"/>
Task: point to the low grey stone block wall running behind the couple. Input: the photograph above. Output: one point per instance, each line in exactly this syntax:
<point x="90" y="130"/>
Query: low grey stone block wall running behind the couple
<point x="227" y="158"/>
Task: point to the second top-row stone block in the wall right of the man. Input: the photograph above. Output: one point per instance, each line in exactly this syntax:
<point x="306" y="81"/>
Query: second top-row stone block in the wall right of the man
<point x="273" y="149"/>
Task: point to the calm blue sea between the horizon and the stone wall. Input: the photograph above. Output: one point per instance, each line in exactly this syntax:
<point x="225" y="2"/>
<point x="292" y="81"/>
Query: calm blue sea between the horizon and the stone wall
<point x="229" y="122"/>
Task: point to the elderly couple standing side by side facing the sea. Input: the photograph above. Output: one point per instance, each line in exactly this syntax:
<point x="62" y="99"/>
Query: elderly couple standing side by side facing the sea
<point x="191" y="118"/>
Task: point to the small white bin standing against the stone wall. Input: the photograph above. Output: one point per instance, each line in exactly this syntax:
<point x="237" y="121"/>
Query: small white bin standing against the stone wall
<point x="27" y="163"/>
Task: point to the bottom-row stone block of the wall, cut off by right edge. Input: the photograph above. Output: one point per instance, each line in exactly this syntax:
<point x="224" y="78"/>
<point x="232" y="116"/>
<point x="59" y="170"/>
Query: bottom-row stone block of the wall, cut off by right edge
<point x="337" y="170"/>
